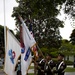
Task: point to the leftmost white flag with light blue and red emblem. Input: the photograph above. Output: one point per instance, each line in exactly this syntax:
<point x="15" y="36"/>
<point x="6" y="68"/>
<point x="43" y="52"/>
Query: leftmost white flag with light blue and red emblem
<point x="12" y="53"/>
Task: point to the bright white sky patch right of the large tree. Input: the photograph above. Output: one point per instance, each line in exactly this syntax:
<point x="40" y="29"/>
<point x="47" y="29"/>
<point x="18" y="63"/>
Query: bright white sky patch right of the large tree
<point x="67" y="30"/>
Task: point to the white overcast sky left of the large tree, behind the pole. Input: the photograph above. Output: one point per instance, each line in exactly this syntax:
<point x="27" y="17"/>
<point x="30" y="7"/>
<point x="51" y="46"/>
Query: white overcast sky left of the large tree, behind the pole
<point x="9" y="4"/>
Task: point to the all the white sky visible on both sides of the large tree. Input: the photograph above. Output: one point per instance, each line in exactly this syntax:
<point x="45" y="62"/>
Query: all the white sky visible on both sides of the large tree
<point x="10" y="22"/>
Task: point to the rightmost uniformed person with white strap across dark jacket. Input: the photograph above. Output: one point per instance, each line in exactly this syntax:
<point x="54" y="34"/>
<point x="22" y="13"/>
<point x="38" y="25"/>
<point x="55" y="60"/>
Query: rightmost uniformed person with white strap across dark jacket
<point x="60" y="66"/>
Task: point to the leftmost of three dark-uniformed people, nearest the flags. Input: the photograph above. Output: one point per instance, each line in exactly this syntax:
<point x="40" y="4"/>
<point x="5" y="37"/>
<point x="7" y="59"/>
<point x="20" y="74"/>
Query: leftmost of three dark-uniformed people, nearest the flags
<point x="40" y="65"/>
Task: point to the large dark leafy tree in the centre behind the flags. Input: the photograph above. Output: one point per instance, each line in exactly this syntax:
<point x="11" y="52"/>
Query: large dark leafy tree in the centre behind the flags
<point x="41" y="14"/>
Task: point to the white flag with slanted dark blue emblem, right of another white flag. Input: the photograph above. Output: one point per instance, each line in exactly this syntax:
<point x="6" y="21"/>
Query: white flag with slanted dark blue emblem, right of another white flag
<point x="27" y="42"/>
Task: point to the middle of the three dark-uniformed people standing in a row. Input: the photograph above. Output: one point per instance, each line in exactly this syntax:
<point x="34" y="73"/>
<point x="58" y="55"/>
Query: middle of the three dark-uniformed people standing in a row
<point x="49" y="65"/>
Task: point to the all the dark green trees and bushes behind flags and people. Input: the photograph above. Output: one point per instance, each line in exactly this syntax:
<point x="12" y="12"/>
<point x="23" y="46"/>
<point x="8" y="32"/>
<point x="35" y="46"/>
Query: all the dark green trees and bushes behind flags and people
<point x="41" y="17"/>
